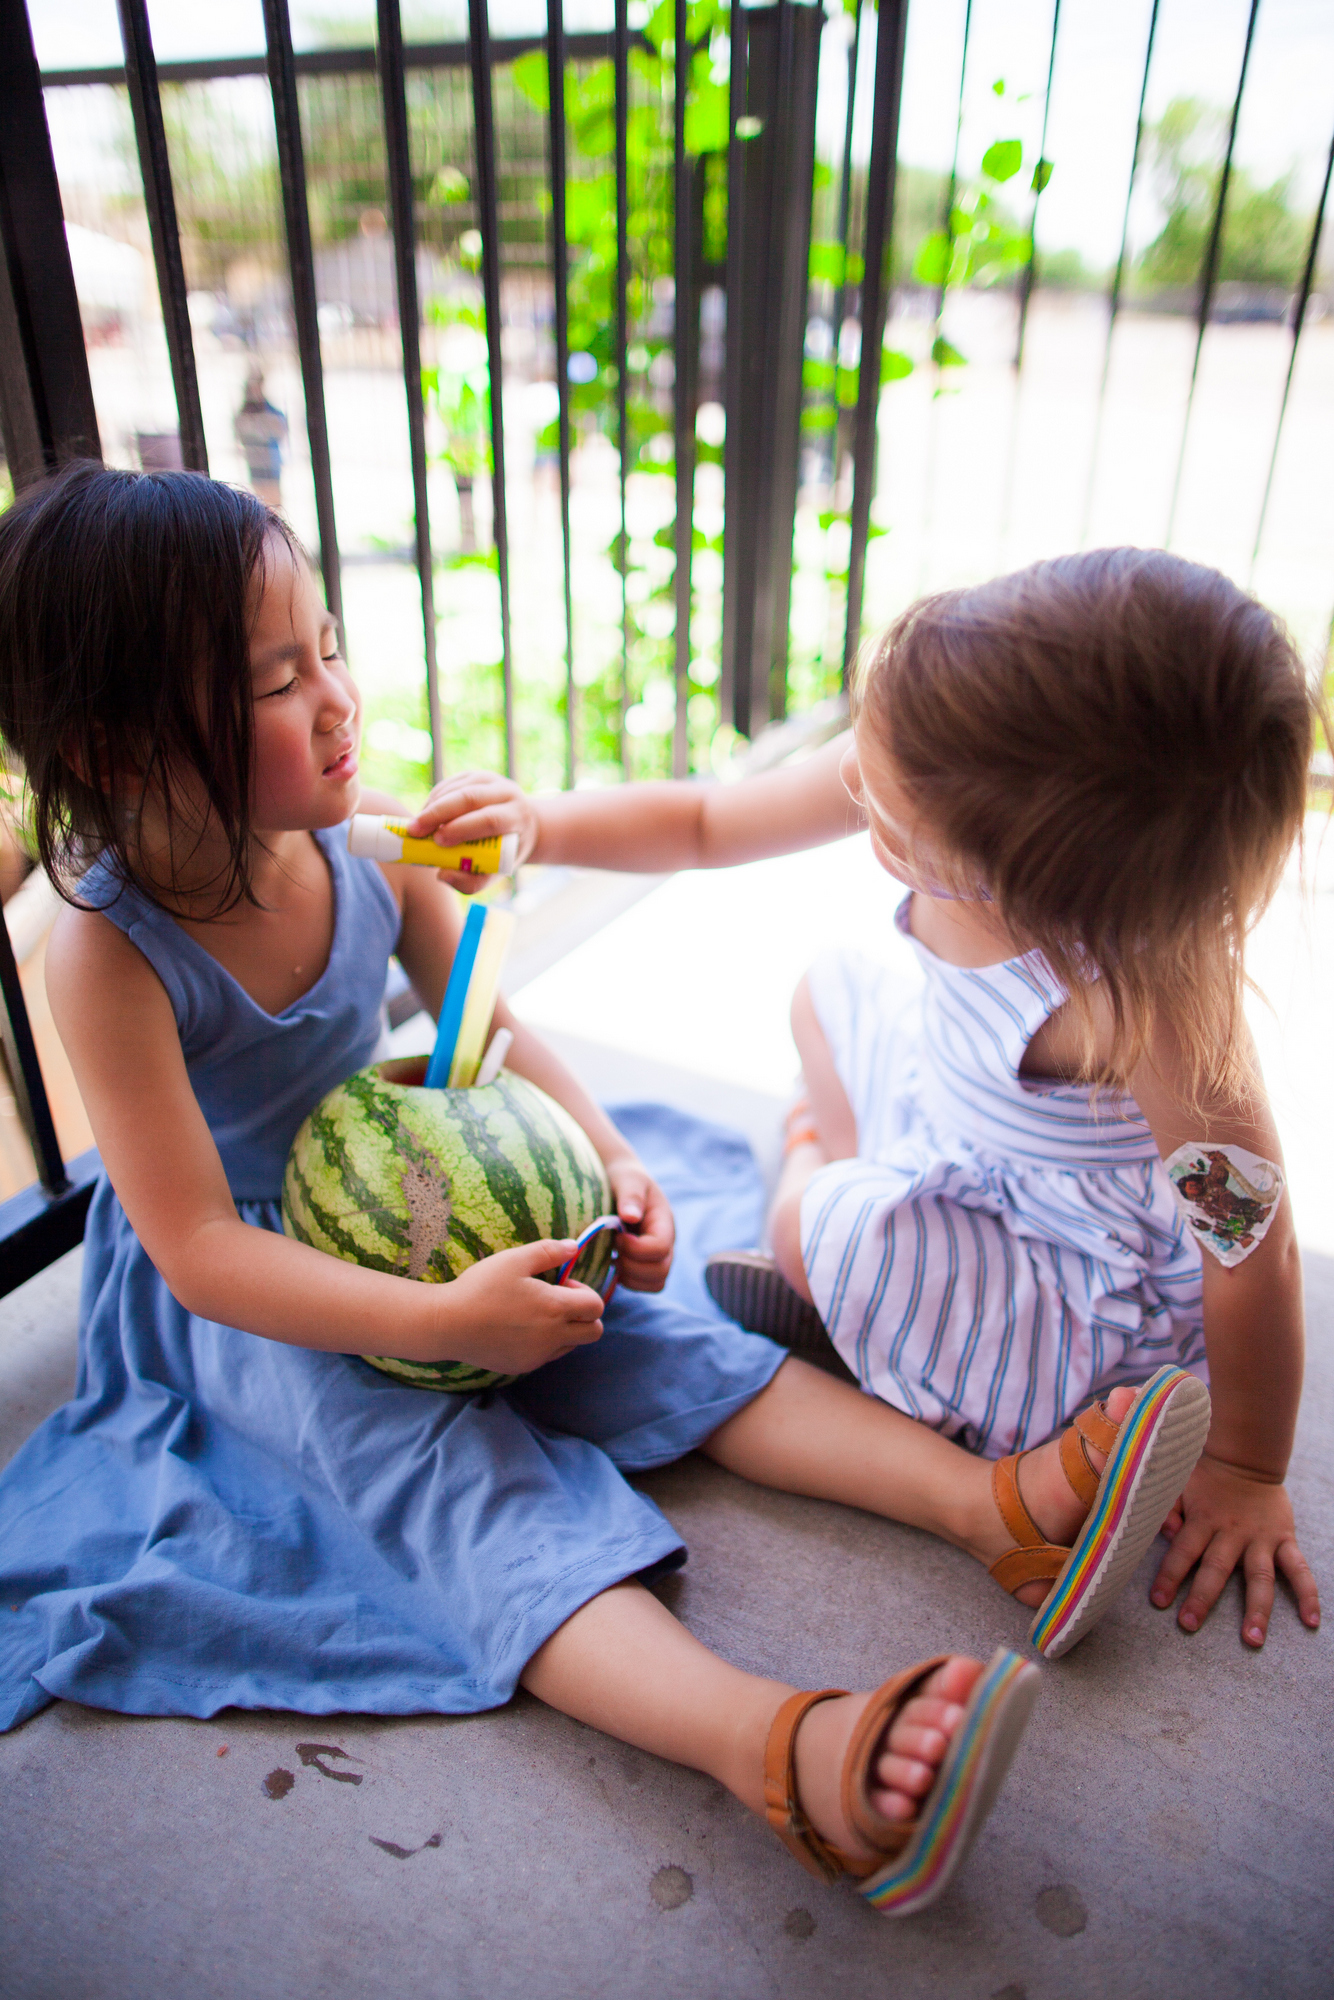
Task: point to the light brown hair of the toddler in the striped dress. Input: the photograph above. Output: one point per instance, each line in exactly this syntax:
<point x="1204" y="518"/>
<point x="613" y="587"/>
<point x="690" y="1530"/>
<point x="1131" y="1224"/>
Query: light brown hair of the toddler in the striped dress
<point x="1117" y="745"/>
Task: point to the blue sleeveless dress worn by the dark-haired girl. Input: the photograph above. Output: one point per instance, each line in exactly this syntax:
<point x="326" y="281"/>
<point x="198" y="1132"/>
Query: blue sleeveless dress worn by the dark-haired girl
<point x="219" y="1519"/>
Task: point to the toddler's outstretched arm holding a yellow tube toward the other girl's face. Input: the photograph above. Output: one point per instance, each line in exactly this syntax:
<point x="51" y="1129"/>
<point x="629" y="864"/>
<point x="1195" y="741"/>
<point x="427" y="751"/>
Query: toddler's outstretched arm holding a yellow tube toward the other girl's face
<point x="655" y="827"/>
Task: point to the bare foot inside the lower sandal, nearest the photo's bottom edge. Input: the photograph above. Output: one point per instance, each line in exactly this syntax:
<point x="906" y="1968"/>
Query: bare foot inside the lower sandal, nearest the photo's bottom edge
<point x="907" y="1759"/>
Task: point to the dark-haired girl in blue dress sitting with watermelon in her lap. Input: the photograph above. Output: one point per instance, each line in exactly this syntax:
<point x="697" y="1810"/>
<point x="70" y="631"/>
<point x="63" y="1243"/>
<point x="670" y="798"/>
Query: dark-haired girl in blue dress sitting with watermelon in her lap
<point x="239" y="1511"/>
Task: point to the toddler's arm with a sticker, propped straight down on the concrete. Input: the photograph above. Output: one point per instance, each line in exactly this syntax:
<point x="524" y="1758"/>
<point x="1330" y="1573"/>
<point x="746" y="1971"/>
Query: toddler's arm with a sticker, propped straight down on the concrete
<point x="1237" y="1511"/>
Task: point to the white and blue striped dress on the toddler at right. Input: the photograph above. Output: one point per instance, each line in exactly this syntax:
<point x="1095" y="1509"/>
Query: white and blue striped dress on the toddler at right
<point x="1001" y="1249"/>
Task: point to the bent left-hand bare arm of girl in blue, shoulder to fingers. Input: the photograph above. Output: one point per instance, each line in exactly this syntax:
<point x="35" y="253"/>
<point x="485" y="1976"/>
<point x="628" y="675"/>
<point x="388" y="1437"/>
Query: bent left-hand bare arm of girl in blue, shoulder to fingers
<point x="119" y="1031"/>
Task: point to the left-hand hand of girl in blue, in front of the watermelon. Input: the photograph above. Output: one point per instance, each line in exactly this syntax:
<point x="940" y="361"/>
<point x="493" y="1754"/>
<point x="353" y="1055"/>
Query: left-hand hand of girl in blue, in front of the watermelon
<point x="503" y="1315"/>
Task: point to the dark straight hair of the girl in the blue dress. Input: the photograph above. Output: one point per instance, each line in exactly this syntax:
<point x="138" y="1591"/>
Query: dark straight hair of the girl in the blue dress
<point x="127" y="603"/>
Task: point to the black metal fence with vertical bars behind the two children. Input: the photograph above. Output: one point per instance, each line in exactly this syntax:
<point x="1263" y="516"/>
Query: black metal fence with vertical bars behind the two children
<point x="759" y="173"/>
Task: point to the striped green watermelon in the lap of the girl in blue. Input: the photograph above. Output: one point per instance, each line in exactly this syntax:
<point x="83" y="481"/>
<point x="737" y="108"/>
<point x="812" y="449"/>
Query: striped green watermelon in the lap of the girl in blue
<point x="425" y="1183"/>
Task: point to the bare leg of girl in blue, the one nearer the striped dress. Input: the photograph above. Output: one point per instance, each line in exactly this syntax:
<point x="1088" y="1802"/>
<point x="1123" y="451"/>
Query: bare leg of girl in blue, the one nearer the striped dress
<point x="813" y="1435"/>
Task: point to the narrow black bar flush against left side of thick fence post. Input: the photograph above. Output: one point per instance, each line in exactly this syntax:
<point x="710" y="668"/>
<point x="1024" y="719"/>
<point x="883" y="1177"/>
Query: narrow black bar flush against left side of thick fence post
<point x="735" y="677"/>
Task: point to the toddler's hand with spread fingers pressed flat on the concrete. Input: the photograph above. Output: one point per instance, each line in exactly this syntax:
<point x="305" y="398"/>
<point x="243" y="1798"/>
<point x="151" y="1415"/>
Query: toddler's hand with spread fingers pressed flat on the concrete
<point x="1231" y="1517"/>
